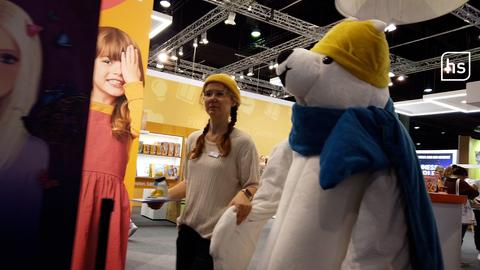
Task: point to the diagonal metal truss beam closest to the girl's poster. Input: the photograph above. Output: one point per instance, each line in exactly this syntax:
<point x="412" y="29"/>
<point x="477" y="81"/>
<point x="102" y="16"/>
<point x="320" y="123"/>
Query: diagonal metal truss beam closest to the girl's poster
<point x="212" y="18"/>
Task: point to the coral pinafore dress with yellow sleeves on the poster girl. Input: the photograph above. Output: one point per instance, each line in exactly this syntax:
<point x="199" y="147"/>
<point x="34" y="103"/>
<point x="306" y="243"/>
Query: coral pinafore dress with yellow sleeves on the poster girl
<point x="105" y="161"/>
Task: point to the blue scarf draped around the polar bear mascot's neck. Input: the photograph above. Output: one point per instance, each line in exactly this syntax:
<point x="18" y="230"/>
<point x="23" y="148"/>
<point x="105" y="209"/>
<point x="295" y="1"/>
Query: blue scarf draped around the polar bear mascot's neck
<point x="366" y="140"/>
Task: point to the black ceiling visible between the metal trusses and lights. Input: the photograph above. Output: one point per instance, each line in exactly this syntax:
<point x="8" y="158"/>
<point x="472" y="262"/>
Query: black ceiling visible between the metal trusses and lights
<point x="228" y="44"/>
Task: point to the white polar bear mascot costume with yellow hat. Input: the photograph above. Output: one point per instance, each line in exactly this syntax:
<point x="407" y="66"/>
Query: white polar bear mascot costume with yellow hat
<point x="359" y="223"/>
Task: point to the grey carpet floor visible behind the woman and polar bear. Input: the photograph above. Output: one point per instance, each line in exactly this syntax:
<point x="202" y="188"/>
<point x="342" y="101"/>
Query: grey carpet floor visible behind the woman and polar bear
<point x="153" y="247"/>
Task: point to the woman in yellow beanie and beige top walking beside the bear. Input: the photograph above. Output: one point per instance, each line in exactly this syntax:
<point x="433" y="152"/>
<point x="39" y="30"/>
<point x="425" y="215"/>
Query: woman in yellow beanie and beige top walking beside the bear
<point x="221" y="171"/>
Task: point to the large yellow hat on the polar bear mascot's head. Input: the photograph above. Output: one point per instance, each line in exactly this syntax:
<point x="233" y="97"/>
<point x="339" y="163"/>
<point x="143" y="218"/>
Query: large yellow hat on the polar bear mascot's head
<point x="360" y="48"/>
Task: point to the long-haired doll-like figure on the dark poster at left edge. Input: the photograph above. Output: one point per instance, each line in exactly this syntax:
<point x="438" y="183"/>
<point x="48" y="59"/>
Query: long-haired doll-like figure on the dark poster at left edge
<point x="23" y="158"/>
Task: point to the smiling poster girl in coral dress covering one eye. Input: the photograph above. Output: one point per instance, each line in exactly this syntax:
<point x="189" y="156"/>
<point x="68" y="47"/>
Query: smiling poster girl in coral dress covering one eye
<point x="114" y="121"/>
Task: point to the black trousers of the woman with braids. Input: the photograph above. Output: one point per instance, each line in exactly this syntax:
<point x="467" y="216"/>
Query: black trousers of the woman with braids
<point x="192" y="250"/>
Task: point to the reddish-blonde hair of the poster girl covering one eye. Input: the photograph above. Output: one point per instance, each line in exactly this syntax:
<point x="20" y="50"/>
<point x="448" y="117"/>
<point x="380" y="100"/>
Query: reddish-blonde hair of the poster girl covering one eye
<point x="111" y="42"/>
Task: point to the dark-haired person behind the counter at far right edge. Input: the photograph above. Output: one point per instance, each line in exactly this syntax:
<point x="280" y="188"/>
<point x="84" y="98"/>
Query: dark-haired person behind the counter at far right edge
<point x="459" y="174"/>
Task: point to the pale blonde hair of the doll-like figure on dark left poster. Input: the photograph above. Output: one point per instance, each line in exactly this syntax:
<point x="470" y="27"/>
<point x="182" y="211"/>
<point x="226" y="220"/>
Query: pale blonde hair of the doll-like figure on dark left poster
<point x="18" y="102"/>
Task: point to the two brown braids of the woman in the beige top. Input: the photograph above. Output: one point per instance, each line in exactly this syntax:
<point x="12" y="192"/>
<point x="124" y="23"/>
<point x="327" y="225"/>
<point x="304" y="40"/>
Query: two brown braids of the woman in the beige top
<point x="225" y="144"/>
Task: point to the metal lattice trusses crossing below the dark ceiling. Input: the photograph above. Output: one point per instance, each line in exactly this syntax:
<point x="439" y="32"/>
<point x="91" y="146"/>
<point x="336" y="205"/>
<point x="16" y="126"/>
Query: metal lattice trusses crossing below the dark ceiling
<point x="308" y="34"/>
